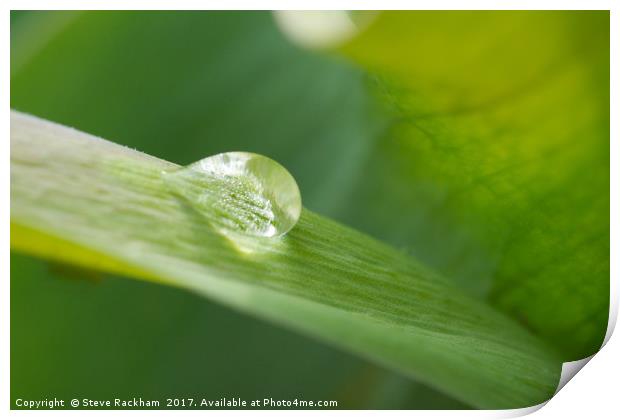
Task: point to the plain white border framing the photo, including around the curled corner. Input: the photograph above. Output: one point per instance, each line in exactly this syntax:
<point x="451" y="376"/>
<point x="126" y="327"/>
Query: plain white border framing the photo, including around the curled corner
<point x="593" y="394"/>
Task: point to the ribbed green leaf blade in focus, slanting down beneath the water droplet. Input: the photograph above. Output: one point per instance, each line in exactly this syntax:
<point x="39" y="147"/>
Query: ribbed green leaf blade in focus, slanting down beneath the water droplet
<point x="323" y="279"/>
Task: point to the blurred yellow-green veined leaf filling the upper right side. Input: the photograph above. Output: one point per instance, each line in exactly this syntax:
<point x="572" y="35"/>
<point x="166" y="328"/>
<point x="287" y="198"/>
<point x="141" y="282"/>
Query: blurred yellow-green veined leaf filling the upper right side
<point x="499" y="157"/>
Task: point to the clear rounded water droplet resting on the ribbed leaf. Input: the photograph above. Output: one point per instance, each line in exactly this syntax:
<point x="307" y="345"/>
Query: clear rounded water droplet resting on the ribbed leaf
<point x="240" y="192"/>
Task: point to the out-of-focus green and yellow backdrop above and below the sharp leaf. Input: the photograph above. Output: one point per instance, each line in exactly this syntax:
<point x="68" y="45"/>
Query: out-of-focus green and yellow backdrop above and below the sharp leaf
<point x="379" y="138"/>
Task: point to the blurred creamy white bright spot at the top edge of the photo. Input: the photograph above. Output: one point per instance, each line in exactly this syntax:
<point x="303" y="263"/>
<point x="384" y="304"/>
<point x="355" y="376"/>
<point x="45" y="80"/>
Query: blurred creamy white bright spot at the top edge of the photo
<point x="316" y="28"/>
